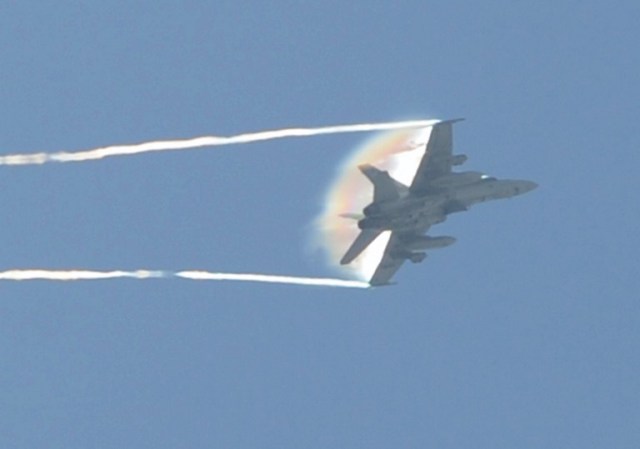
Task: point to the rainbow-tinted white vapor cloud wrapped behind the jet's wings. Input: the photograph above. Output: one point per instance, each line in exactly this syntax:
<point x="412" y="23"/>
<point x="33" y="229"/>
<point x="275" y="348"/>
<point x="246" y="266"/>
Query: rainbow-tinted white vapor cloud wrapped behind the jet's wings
<point x="399" y="152"/>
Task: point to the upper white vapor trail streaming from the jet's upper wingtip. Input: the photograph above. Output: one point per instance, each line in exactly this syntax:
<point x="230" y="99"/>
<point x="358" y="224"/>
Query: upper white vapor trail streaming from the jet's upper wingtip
<point x="205" y="141"/>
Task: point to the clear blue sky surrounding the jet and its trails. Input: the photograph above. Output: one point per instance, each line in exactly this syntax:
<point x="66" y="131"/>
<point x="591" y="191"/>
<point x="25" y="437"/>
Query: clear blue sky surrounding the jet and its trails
<point x="525" y="333"/>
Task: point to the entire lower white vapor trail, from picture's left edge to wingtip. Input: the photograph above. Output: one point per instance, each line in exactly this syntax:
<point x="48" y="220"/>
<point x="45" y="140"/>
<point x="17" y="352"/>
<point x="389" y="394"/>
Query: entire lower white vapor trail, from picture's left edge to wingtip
<point x="86" y="275"/>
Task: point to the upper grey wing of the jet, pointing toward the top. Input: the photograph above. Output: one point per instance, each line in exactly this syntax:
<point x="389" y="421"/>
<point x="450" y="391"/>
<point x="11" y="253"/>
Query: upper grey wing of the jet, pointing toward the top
<point x="437" y="156"/>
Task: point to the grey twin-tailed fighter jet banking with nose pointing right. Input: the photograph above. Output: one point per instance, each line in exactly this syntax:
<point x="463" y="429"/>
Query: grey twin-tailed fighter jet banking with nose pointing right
<point x="409" y="211"/>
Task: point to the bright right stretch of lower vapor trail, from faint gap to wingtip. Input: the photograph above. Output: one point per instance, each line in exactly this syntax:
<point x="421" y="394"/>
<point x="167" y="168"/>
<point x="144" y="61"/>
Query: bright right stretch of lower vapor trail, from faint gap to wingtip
<point x="246" y="277"/>
